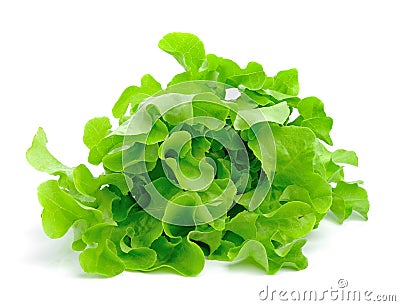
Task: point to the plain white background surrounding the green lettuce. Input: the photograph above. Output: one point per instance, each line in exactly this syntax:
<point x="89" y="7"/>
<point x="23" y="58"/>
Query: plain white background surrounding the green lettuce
<point x="64" y="62"/>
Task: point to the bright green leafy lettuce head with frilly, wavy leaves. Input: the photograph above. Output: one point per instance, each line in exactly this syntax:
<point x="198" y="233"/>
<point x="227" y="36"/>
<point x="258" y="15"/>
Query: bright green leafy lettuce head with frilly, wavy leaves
<point x="212" y="166"/>
